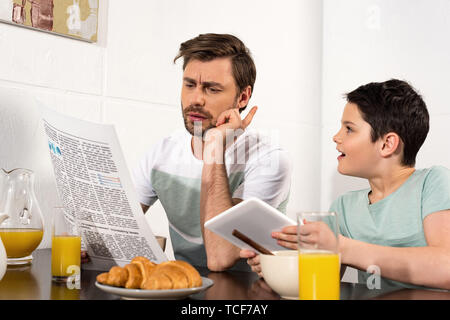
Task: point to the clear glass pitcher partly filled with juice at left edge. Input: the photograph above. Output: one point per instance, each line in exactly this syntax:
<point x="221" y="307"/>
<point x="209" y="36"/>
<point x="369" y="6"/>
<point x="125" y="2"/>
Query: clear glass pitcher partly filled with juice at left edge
<point x="22" y="230"/>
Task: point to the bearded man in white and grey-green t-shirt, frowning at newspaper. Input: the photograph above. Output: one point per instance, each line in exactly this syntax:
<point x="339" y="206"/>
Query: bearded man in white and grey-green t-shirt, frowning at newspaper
<point x="217" y="163"/>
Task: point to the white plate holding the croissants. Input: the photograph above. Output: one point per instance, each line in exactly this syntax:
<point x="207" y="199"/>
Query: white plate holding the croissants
<point x="155" y="294"/>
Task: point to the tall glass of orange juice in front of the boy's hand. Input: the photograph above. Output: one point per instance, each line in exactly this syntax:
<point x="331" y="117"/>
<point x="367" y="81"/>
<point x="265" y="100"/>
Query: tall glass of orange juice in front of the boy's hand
<point x="318" y="256"/>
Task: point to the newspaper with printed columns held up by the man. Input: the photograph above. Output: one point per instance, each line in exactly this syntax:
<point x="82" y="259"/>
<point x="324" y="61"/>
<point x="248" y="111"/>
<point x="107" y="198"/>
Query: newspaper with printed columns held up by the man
<point x="96" y="190"/>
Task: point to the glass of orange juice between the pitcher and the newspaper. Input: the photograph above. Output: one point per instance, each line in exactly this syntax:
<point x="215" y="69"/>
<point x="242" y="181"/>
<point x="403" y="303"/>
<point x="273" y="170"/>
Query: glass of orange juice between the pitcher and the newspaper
<point x="66" y="247"/>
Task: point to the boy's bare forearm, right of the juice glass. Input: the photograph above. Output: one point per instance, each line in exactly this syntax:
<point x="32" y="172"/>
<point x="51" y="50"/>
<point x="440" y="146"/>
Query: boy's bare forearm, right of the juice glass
<point x="427" y="266"/>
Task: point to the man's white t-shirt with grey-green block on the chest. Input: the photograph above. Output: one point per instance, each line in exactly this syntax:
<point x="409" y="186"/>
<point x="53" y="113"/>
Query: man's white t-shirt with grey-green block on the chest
<point x="170" y="172"/>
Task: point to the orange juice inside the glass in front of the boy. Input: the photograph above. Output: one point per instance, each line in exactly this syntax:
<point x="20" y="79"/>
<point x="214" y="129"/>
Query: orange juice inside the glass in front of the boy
<point x="318" y="276"/>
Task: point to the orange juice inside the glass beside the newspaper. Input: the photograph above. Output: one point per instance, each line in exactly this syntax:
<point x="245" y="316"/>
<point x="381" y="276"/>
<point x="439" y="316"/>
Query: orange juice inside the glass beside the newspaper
<point x="66" y="251"/>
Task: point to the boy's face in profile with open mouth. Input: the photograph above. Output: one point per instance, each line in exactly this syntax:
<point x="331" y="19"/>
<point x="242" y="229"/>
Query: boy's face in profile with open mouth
<point x="359" y="156"/>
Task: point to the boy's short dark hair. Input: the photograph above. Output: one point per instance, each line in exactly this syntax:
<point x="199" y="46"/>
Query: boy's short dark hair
<point x="394" y="106"/>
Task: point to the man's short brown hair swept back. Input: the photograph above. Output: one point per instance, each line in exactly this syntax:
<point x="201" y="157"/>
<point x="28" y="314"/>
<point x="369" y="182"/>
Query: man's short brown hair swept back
<point x="209" y="46"/>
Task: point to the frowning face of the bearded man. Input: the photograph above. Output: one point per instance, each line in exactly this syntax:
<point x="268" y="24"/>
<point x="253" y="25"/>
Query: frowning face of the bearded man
<point x="208" y="90"/>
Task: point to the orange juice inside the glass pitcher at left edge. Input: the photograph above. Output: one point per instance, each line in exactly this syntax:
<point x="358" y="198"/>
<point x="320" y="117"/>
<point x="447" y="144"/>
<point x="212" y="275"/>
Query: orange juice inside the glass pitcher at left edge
<point x="20" y="242"/>
